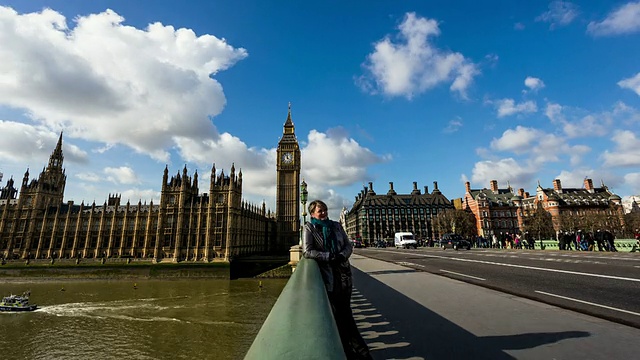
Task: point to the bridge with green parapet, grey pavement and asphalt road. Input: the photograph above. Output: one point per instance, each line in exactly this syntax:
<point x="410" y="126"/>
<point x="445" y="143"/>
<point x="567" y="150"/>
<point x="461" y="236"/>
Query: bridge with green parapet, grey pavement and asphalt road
<point x="481" y="304"/>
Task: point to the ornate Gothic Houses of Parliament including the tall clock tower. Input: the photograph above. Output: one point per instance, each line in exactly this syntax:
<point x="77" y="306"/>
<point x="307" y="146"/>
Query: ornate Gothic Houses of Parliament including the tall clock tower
<point x="186" y="225"/>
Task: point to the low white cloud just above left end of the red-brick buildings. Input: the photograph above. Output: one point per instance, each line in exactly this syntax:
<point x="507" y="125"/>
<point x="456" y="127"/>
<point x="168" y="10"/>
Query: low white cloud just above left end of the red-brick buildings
<point x="502" y="170"/>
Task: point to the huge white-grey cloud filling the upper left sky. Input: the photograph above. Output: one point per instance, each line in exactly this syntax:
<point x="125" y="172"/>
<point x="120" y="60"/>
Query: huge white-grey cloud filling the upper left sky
<point x="107" y="82"/>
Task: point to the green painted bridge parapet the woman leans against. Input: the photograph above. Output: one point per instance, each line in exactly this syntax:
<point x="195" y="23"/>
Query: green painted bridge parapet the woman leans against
<point x="300" y="324"/>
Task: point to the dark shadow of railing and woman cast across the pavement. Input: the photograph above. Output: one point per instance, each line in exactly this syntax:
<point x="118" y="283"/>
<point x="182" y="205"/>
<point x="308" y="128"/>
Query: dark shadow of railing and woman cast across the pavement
<point x="404" y="329"/>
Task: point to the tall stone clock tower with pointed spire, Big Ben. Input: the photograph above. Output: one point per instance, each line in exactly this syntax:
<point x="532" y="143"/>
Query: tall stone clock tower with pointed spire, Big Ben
<point x="288" y="191"/>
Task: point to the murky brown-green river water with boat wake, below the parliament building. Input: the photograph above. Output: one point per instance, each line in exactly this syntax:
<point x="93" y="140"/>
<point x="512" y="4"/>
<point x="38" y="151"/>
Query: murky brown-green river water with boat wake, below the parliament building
<point x="143" y="319"/>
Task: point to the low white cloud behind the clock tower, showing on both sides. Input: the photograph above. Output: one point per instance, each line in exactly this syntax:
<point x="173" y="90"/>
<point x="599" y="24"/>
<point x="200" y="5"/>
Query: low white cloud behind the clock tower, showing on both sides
<point x="329" y="159"/>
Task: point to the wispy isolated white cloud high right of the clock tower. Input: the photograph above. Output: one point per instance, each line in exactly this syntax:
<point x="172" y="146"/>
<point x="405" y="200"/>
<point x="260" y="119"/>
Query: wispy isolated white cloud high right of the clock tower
<point x="413" y="65"/>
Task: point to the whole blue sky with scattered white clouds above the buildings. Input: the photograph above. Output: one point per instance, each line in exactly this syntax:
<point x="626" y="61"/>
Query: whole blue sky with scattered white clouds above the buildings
<point x="381" y="91"/>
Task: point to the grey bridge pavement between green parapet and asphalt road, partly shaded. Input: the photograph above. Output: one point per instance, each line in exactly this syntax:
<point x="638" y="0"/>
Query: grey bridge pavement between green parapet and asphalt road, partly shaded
<point x="405" y="313"/>
